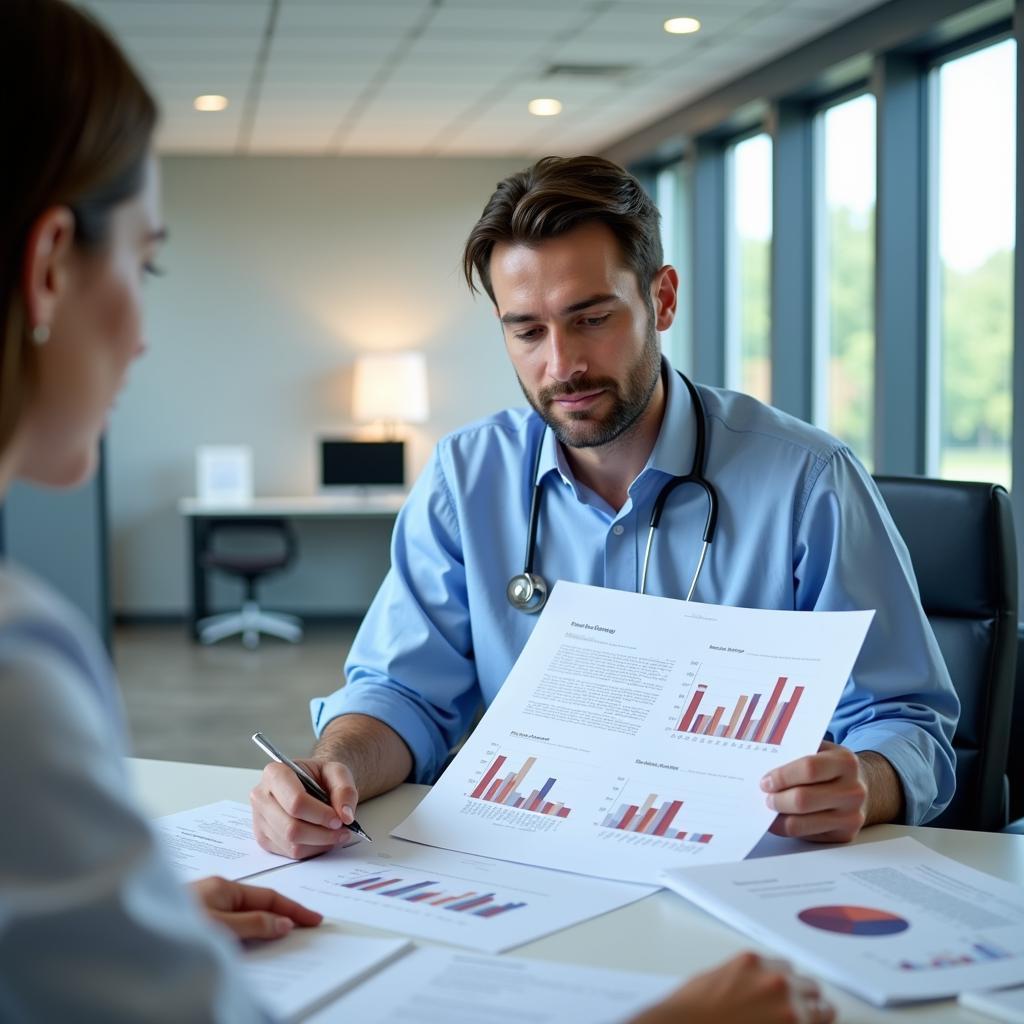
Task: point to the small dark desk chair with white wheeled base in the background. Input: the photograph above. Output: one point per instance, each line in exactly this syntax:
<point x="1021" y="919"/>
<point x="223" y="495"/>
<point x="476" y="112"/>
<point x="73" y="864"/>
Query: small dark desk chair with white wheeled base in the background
<point x="261" y="548"/>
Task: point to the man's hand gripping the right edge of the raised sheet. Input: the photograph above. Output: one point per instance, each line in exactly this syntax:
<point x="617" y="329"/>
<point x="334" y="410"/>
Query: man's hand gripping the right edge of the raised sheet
<point x="831" y="796"/>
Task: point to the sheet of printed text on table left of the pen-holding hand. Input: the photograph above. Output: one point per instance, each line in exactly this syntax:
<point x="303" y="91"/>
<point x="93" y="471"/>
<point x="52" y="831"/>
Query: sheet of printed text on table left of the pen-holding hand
<point x="216" y="839"/>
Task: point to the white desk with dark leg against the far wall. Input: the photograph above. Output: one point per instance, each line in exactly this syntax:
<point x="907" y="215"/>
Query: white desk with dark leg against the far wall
<point x="201" y="515"/>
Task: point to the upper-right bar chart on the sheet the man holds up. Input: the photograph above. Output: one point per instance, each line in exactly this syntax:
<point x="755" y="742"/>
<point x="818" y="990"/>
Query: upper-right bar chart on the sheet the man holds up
<point x="755" y="718"/>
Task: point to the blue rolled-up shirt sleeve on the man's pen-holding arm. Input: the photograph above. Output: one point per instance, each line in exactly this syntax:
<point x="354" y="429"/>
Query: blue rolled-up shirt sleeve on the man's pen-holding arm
<point x="412" y="663"/>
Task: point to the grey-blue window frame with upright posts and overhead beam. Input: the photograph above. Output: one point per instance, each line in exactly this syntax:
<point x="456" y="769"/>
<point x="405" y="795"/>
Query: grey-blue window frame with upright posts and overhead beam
<point x="891" y="50"/>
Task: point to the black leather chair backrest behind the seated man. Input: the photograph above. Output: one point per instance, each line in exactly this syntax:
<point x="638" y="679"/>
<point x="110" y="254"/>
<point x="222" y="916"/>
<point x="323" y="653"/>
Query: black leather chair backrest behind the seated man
<point x="964" y="550"/>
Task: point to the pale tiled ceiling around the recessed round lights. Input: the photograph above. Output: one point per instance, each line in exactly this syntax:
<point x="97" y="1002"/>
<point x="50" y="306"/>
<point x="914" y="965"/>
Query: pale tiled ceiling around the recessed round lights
<point x="462" y="84"/>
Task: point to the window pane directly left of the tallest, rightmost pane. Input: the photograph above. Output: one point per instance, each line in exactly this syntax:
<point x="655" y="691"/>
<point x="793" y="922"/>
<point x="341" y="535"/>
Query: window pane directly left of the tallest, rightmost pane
<point x="844" y="366"/>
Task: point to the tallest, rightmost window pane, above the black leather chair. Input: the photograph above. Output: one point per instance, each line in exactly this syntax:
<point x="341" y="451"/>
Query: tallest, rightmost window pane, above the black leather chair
<point x="971" y="404"/>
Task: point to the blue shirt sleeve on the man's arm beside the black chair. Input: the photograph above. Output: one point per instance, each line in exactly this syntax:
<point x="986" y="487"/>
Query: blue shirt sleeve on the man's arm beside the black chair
<point x="900" y="700"/>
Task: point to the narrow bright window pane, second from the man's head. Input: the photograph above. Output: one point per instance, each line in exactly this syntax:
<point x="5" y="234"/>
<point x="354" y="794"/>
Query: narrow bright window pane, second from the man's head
<point x="749" y="183"/>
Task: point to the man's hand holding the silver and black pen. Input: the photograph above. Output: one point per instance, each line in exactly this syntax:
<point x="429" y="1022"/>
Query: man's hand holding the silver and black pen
<point x="289" y="822"/>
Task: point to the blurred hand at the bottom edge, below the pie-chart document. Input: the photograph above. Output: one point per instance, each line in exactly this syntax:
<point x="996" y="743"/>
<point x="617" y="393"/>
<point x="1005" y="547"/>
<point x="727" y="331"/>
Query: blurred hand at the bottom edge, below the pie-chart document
<point x="746" y="991"/>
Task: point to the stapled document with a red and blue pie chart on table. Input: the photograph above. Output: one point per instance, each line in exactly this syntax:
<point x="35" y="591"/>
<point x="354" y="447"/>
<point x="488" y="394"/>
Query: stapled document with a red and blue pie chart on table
<point x="892" y="922"/>
